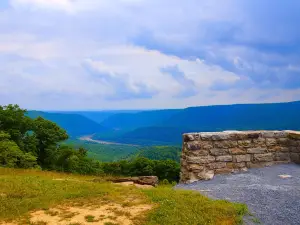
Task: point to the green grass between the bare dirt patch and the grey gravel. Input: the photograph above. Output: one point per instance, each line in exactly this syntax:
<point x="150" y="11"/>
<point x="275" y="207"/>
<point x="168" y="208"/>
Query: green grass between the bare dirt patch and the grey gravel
<point x="190" y="208"/>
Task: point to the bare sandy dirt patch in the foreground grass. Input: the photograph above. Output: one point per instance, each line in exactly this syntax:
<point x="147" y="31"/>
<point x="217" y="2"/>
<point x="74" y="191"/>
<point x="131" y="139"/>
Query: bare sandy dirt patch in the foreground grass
<point x="103" y="214"/>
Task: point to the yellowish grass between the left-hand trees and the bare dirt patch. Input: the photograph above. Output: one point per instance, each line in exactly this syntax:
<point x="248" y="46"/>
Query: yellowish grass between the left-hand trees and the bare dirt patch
<point x="26" y="190"/>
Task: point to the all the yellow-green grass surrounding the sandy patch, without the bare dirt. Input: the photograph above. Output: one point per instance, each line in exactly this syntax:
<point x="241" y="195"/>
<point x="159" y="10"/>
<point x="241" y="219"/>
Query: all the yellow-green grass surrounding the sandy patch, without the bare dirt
<point x="22" y="191"/>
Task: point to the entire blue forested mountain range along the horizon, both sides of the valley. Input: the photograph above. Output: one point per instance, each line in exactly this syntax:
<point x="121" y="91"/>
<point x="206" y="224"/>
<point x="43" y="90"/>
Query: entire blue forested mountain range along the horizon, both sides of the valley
<point x="166" y="126"/>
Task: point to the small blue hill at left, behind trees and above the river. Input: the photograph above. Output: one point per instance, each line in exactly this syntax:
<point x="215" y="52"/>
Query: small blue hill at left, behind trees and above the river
<point x="76" y="125"/>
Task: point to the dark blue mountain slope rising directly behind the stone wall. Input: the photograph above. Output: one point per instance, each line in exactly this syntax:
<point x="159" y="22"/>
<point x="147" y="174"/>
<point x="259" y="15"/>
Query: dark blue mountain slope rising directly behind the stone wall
<point x="239" y="117"/>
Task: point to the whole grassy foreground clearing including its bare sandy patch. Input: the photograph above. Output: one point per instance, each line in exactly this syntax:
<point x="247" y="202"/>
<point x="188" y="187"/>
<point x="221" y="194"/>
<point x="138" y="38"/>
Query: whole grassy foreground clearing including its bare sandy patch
<point x="26" y="195"/>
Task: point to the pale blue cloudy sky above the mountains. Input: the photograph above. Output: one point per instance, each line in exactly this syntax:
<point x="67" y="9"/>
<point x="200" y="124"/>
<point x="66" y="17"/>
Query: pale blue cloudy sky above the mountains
<point x="146" y="54"/>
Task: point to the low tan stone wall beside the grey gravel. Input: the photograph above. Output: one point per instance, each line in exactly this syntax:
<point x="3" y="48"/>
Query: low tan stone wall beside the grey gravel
<point x="207" y="154"/>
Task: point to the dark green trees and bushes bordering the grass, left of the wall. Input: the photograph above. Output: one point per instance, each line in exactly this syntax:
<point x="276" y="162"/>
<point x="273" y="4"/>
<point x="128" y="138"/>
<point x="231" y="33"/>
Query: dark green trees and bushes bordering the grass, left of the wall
<point x="27" y="142"/>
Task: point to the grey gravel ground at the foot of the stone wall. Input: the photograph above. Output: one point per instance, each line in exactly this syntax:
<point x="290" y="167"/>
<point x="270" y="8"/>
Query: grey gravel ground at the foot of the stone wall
<point x="272" y="199"/>
